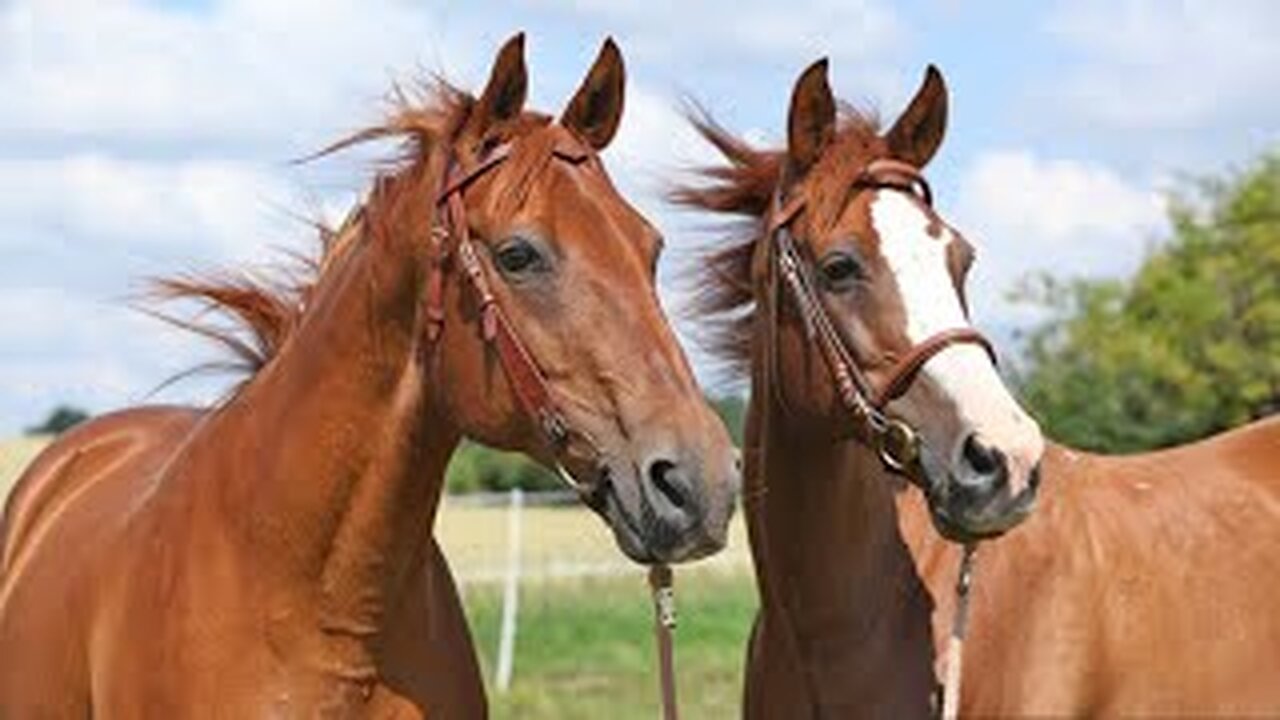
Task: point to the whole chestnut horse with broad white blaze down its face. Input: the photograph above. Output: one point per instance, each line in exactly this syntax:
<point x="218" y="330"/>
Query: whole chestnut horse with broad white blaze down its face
<point x="1142" y="585"/>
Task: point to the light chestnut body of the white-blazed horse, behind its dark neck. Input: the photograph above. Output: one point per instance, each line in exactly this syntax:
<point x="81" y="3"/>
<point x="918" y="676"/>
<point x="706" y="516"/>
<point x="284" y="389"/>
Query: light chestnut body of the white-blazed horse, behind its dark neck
<point x="1141" y="586"/>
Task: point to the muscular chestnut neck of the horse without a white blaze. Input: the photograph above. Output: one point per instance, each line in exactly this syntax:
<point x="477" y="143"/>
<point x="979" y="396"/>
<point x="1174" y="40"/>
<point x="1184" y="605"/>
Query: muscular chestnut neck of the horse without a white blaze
<point x="333" y="455"/>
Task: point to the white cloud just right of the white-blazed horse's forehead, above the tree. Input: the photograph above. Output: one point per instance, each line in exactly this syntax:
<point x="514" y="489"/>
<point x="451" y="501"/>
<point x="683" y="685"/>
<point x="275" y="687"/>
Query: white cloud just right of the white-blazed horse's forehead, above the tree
<point x="1026" y="215"/>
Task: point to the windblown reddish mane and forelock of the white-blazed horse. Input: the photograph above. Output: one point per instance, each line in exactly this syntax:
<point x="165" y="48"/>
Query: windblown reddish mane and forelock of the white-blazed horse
<point x="724" y="302"/>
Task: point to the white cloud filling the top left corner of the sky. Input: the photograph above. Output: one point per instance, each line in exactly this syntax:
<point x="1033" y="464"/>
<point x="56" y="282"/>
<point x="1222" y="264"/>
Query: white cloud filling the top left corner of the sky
<point x="246" y="71"/>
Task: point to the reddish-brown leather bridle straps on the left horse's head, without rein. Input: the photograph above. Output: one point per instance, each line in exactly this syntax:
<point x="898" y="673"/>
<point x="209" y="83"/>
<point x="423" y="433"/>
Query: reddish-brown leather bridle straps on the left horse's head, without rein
<point x="524" y="375"/>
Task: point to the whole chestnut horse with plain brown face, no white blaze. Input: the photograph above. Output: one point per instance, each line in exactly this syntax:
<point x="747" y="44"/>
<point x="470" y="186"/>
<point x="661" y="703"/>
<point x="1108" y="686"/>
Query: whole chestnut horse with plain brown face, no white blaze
<point x="275" y="557"/>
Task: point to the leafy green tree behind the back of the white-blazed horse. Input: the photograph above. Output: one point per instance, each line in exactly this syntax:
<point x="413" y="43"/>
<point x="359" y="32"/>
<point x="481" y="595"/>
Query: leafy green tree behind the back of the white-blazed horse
<point x="1187" y="348"/>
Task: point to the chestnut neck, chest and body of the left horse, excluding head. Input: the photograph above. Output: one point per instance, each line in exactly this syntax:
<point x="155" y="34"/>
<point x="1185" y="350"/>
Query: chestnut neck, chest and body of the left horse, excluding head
<point x="213" y="568"/>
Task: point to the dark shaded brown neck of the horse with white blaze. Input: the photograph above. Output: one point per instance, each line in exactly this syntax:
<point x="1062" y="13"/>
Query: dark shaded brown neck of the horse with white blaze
<point x="839" y="584"/>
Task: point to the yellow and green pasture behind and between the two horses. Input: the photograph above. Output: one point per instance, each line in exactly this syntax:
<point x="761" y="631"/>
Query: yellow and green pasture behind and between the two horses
<point x="584" y="646"/>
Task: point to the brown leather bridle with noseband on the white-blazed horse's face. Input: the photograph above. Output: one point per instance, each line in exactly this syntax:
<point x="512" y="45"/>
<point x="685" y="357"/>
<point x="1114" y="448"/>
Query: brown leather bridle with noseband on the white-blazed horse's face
<point x="894" y="440"/>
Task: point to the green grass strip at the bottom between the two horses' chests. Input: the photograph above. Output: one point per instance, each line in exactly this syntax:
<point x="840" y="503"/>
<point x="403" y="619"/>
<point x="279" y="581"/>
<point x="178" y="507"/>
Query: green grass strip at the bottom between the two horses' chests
<point x="586" y="649"/>
